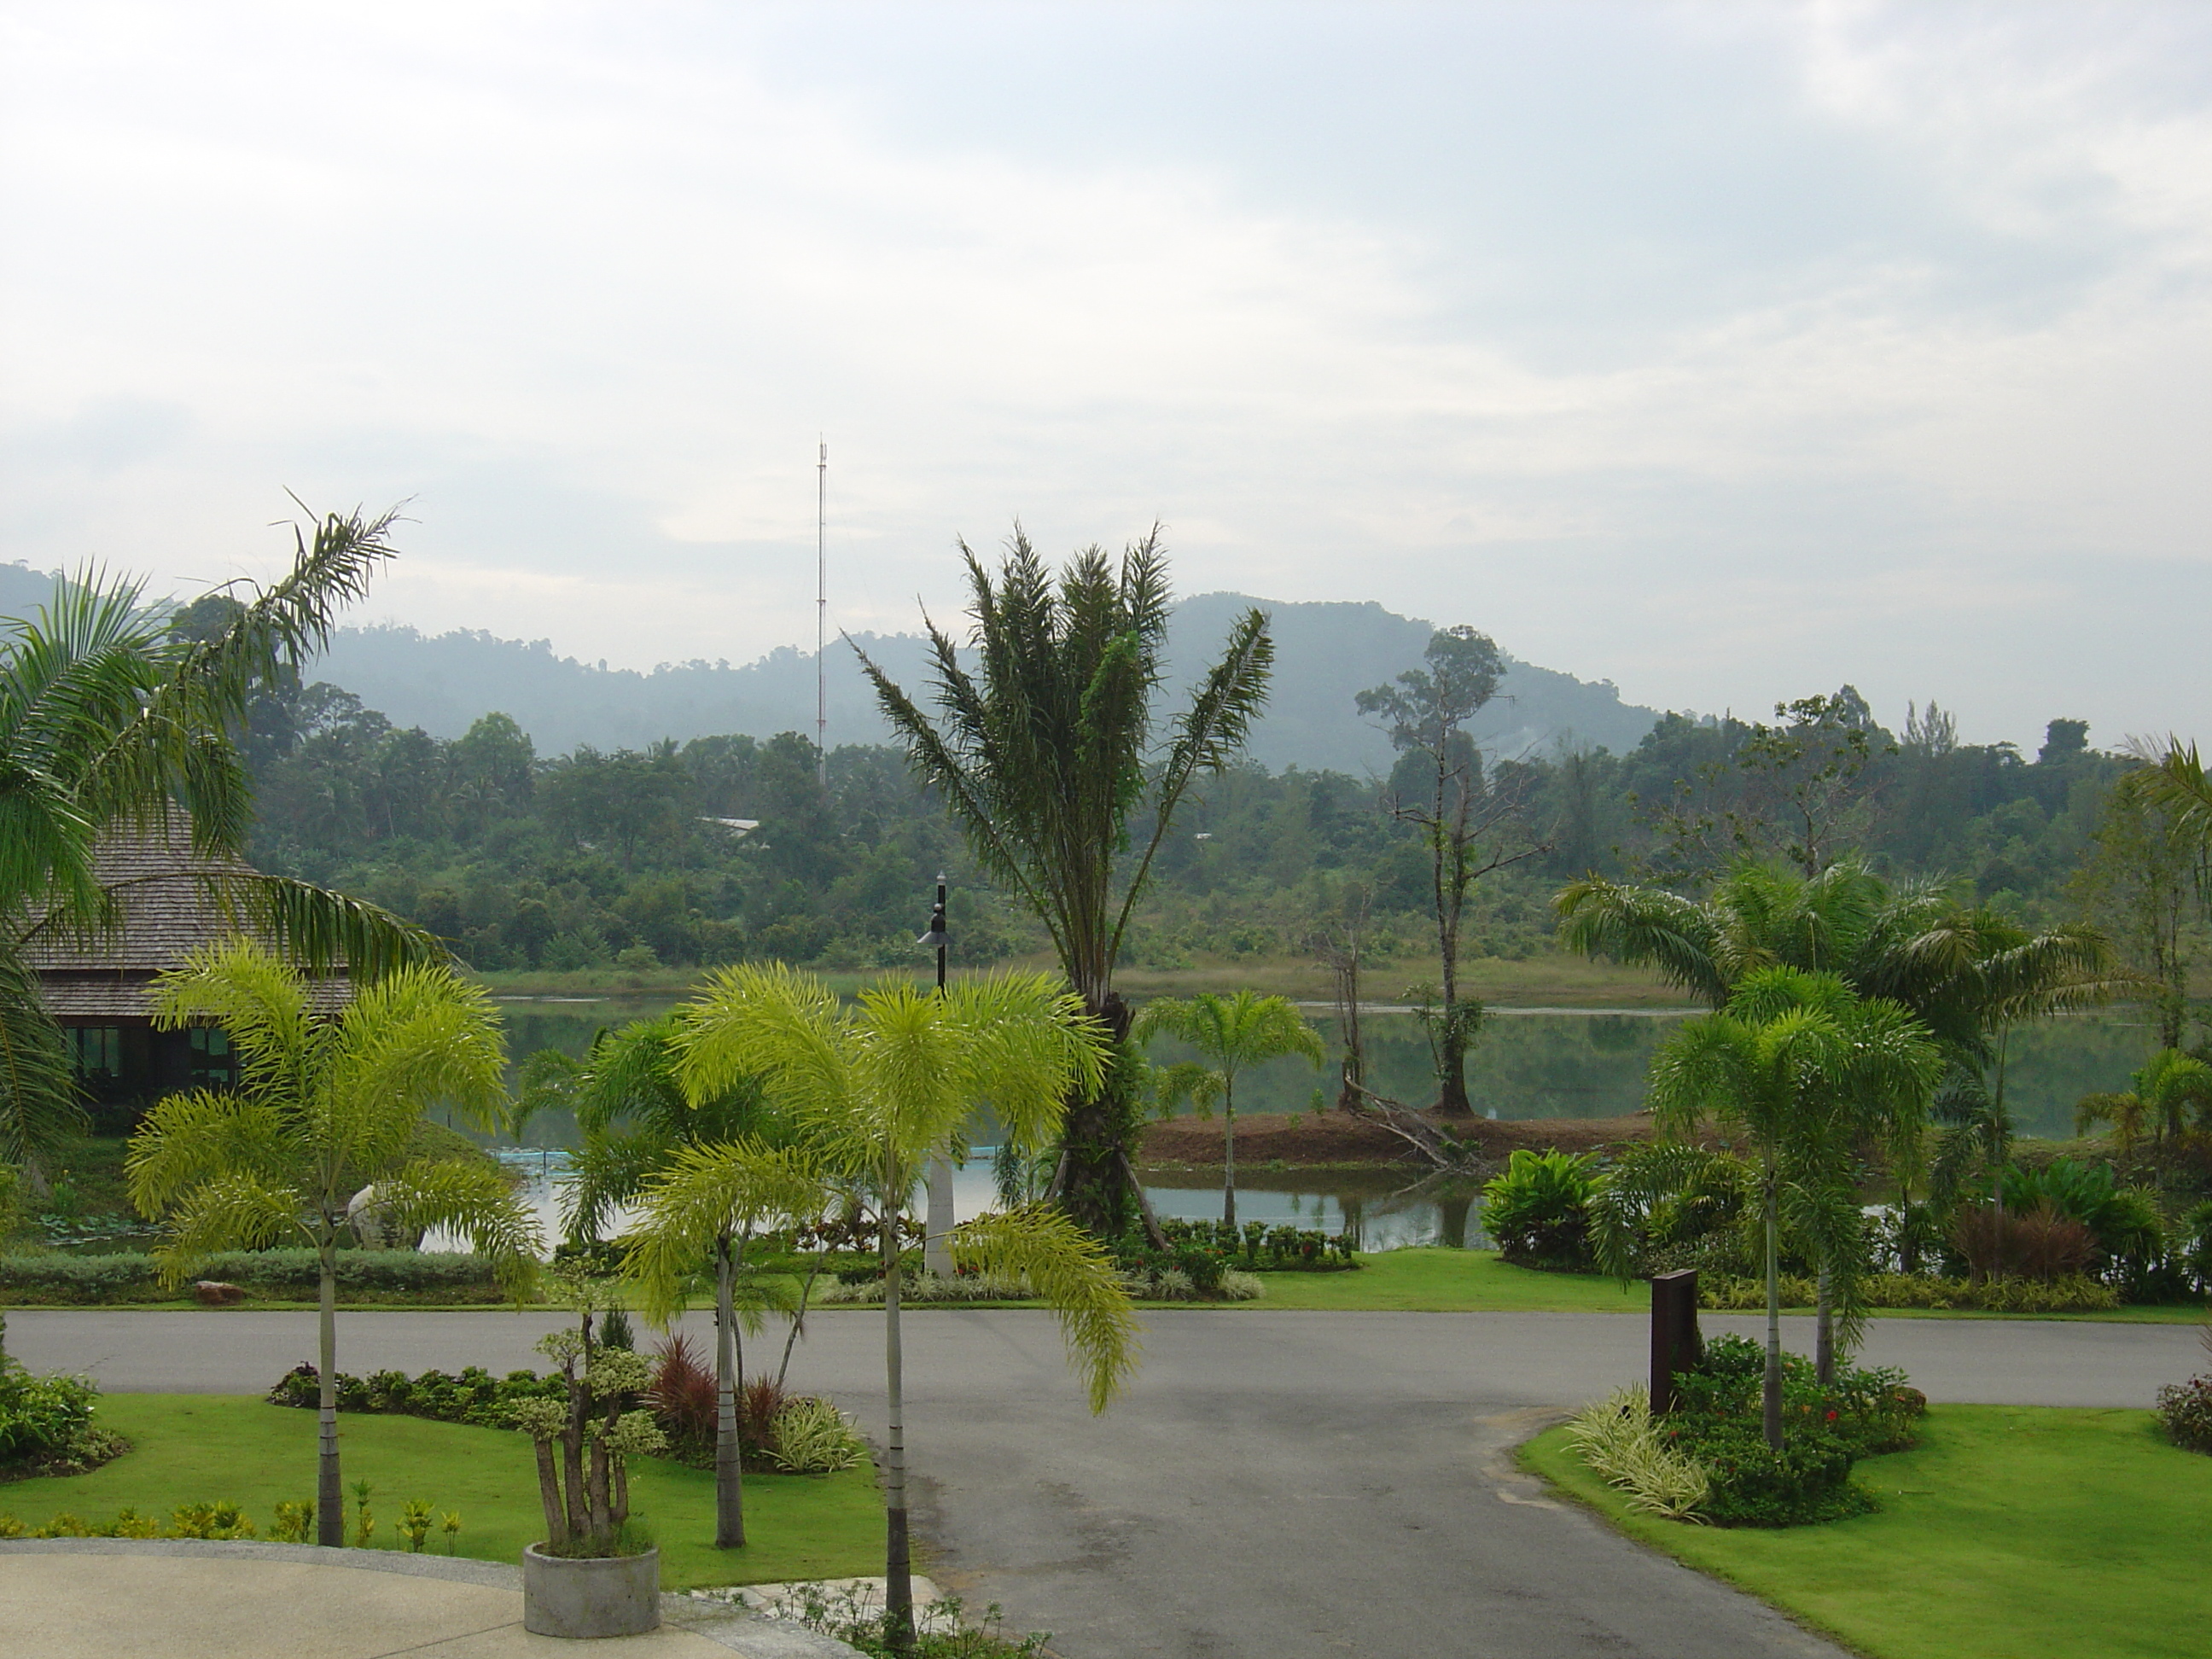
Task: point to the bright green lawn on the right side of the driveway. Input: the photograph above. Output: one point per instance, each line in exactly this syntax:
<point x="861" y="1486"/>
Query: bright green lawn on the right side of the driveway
<point x="2005" y="1534"/>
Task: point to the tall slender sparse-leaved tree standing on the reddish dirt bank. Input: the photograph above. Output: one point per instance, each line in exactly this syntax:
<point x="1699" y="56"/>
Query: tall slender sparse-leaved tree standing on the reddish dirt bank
<point x="1470" y="824"/>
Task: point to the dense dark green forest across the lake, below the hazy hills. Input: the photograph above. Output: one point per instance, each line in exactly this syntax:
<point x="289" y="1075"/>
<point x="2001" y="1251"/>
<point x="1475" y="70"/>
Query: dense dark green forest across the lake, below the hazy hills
<point x="724" y="848"/>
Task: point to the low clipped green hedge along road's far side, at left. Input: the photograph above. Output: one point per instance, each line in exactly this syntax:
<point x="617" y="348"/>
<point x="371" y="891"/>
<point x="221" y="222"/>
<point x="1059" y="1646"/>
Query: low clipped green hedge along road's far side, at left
<point x="54" y="1280"/>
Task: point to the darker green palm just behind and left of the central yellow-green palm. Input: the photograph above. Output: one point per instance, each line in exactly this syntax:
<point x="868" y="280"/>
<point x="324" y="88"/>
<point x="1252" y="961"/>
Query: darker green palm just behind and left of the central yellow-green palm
<point x="636" y="1123"/>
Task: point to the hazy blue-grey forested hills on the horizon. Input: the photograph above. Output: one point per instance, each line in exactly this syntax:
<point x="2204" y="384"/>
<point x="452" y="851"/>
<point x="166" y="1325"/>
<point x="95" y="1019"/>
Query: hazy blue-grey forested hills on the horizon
<point x="1326" y="654"/>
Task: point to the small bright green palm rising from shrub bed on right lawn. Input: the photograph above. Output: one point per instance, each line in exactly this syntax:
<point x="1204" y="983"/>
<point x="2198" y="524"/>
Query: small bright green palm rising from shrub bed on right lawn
<point x="1799" y="1070"/>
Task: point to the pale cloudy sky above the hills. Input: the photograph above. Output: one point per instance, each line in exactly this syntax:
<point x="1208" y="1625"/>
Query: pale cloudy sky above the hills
<point x="1726" y="353"/>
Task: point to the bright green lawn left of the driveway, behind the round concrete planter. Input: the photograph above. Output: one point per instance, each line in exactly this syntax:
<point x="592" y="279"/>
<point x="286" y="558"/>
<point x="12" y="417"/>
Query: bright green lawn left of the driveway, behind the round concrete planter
<point x="211" y="1448"/>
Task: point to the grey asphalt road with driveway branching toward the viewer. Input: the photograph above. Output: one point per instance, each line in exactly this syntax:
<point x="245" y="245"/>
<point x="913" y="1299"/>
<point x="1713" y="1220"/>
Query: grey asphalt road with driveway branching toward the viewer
<point x="1273" y="1485"/>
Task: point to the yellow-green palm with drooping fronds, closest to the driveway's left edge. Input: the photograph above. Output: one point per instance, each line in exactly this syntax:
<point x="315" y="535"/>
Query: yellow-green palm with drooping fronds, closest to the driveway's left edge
<point x="884" y="1087"/>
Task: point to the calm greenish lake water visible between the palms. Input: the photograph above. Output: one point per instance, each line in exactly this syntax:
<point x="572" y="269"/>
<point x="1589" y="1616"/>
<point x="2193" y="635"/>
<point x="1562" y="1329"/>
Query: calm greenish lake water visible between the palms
<point x="1538" y="1063"/>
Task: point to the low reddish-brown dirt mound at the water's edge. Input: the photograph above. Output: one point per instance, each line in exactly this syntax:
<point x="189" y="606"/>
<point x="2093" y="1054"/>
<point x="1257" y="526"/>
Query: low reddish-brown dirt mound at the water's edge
<point x="1322" y="1140"/>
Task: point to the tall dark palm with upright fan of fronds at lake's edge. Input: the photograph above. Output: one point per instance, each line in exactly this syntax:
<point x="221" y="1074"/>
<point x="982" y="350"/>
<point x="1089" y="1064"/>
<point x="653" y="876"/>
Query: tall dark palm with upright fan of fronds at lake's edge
<point x="1045" y="758"/>
